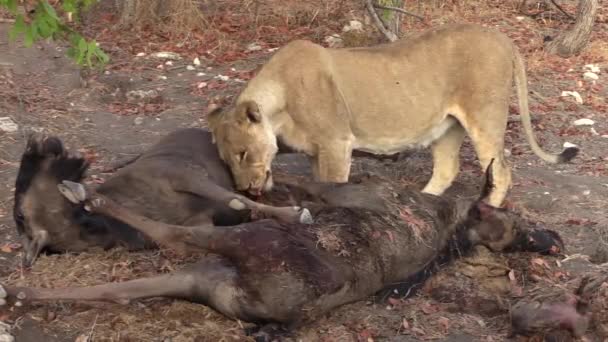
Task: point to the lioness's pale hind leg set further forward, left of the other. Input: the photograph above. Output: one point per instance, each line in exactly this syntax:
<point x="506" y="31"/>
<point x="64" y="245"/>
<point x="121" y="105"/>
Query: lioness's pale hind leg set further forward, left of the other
<point x="446" y="162"/>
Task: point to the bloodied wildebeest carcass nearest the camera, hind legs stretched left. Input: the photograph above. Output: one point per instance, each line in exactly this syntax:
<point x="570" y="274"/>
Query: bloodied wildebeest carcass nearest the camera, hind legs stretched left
<point x="367" y="236"/>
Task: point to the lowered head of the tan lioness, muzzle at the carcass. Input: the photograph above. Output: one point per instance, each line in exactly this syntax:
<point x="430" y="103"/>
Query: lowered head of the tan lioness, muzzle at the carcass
<point x="246" y="143"/>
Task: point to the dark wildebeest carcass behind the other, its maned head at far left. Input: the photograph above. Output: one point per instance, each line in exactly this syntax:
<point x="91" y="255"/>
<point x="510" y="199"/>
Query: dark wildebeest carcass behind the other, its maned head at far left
<point x="180" y="180"/>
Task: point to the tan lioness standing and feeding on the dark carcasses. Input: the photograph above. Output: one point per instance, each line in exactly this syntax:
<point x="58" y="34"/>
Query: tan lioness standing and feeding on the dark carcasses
<point x="427" y="90"/>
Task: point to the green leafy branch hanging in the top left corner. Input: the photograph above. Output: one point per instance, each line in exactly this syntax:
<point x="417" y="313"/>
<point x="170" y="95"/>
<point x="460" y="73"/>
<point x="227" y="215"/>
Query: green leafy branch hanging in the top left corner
<point x="43" y="22"/>
